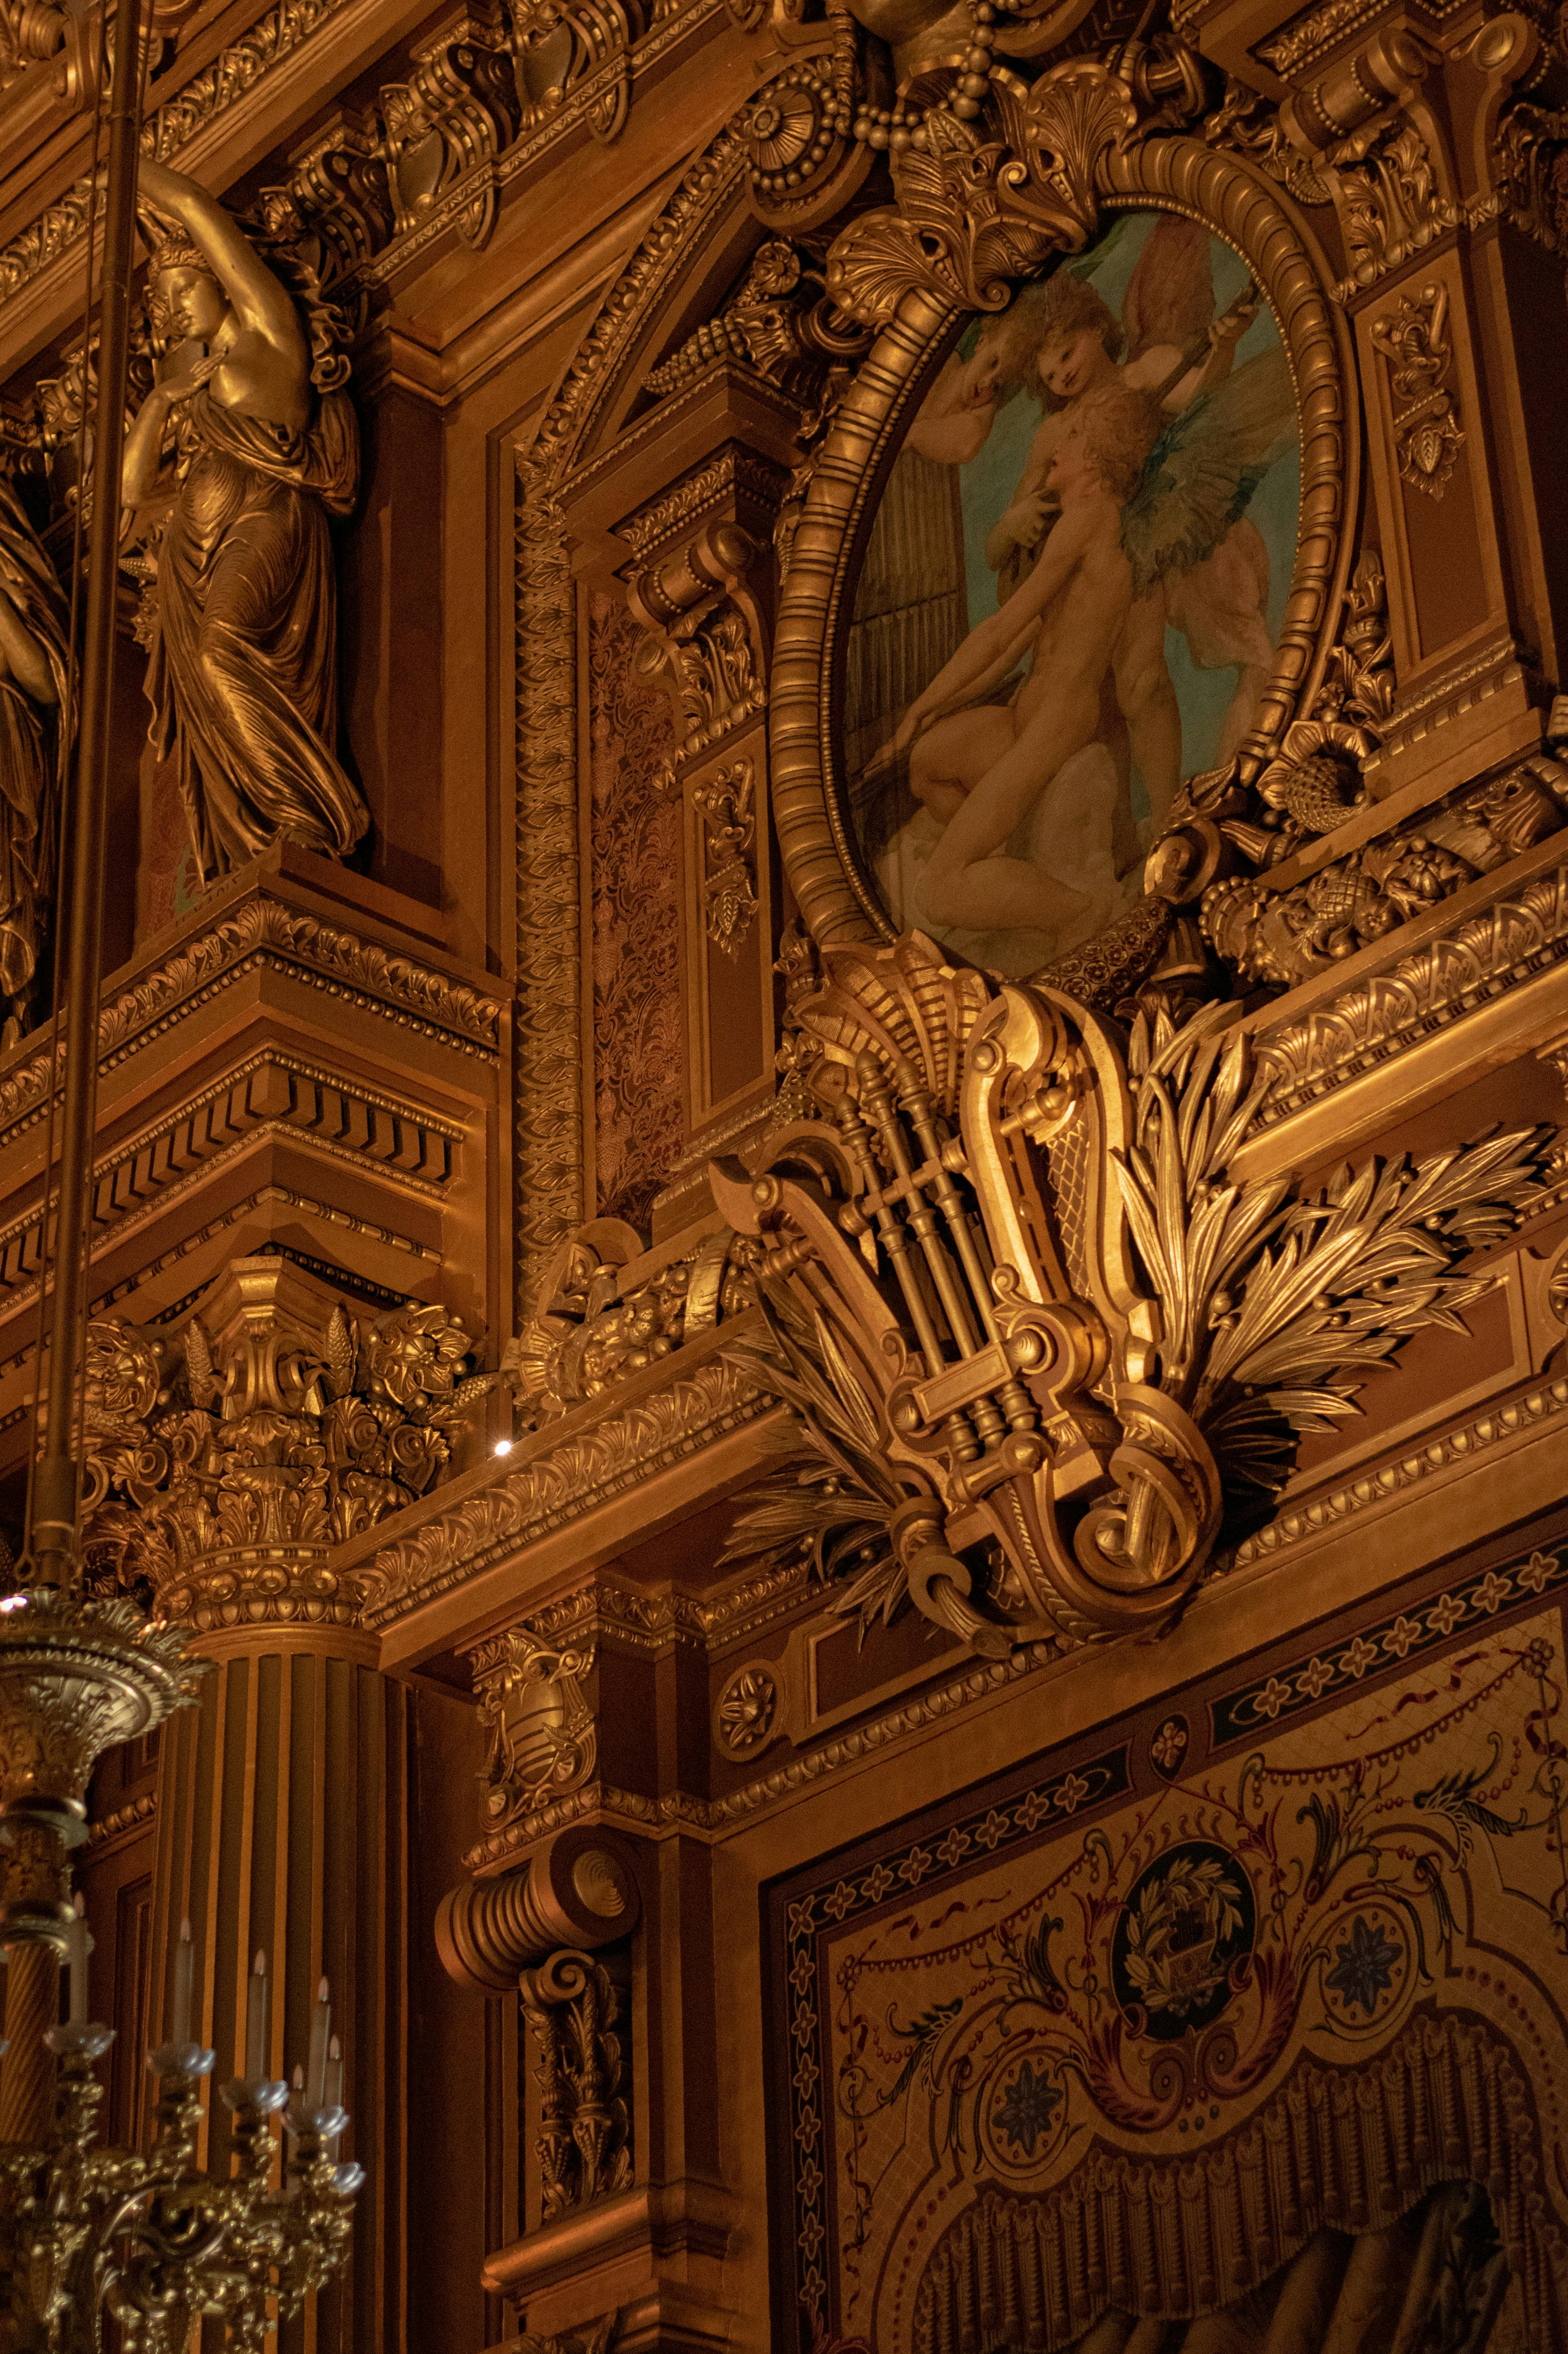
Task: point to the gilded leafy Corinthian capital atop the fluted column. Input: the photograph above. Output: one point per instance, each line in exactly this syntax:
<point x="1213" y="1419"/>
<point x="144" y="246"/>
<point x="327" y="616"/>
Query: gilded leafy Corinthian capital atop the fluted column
<point x="225" y="1463"/>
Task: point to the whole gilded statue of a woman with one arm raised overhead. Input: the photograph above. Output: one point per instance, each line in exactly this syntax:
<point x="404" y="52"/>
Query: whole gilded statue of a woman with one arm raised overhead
<point x="244" y="665"/>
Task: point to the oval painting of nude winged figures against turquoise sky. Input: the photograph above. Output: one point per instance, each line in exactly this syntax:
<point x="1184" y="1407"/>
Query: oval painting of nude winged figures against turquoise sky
<point x="1061" y="620"/>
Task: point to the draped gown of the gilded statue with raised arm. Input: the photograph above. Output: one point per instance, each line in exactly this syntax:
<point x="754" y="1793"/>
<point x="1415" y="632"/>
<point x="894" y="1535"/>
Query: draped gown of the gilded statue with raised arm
<point x="244" y="674"/>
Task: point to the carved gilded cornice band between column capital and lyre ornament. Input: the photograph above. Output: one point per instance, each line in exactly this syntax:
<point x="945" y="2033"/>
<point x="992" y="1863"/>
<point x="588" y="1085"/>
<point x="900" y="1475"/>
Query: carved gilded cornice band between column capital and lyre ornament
<point x="564" y="1482"/>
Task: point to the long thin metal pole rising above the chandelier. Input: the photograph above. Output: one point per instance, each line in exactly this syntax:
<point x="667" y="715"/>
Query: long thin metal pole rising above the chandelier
<point x="58" y="1484"/>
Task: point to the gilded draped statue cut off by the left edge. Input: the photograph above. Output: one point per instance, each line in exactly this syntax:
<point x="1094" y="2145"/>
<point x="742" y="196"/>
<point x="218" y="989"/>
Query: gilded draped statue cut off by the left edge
<point x="34" y="750"/>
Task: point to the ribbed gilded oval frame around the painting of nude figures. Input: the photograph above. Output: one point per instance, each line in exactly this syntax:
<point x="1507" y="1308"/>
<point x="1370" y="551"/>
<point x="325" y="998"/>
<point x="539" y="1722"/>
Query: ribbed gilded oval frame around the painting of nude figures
<point x="1233" y="201"/>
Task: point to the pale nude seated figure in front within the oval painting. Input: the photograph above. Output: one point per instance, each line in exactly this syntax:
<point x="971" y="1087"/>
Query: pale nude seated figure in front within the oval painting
<point x="985" y="769"/>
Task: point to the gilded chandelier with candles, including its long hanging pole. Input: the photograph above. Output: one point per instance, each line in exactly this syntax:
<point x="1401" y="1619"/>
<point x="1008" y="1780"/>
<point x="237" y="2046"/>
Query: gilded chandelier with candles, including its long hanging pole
<point x="142" y="2235"/>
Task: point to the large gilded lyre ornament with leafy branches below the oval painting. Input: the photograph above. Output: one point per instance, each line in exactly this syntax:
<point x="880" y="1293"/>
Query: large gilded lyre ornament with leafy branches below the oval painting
<point x="1035" y="1336"/>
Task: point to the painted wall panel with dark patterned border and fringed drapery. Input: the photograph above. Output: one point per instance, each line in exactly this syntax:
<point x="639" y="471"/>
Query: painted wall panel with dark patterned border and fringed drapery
<point x="1150" y="1983"/>
